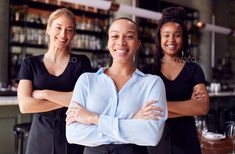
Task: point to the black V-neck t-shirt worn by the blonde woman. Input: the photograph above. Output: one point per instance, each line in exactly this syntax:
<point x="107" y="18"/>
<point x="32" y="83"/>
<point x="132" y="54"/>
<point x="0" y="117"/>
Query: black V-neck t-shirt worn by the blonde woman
<point x="33" y="69"/>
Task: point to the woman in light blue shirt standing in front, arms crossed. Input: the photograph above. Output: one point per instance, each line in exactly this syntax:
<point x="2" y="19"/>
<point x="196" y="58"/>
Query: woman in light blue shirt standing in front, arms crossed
<point x="107" y="112"/>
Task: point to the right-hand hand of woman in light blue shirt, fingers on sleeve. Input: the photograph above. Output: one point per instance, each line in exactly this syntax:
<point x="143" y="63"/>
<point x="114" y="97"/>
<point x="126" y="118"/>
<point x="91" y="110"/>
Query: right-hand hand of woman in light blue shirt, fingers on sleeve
<point x="149" y="111"/>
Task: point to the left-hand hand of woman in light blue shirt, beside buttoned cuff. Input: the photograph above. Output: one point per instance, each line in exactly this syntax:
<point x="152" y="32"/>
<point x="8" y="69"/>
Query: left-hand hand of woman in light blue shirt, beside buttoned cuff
<point x="80" y="114"/>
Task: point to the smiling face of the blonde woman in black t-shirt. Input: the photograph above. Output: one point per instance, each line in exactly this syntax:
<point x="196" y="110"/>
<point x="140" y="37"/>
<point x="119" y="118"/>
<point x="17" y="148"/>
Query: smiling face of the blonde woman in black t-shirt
<point x="61" y="32"/>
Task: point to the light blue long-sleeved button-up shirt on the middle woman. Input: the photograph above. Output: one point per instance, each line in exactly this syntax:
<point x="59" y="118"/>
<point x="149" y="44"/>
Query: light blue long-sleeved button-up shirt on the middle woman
<point x="97" y="93"/>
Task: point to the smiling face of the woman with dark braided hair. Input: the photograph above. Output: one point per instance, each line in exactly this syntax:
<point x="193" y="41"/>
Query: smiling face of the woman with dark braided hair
<point x="171" y="35"/>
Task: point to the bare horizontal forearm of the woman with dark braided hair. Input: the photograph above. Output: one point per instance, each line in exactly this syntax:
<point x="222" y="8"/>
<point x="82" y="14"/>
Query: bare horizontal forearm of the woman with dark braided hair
<point x="189" y="107"/>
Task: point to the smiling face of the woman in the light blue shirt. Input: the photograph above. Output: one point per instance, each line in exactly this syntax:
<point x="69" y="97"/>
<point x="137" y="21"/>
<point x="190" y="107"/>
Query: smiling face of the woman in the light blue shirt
<point x="123" y="41"/>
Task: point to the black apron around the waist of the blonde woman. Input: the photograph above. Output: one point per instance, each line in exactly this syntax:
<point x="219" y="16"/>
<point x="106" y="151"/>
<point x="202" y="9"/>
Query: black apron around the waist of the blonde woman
<point x="47" y="135"/>
